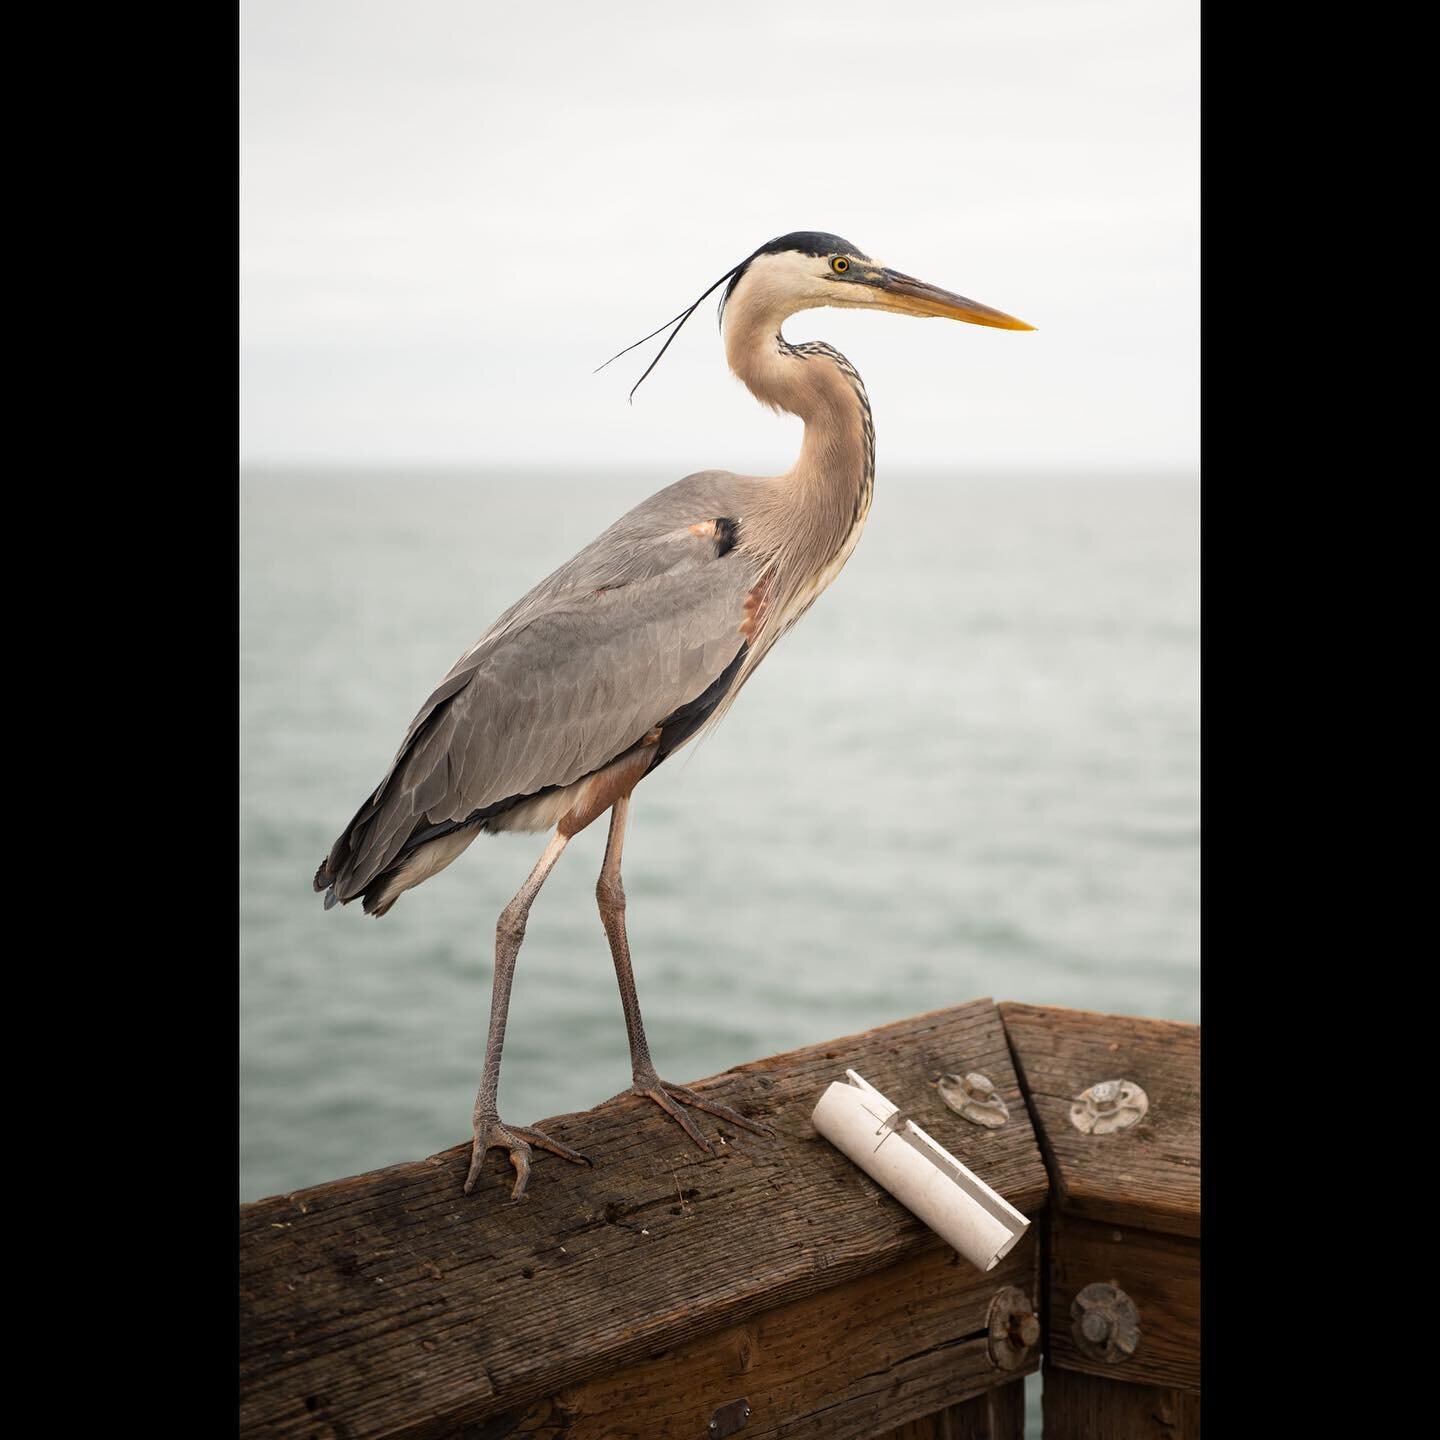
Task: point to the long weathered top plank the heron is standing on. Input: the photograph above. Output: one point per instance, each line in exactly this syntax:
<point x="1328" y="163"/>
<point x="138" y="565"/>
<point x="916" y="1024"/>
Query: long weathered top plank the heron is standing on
<point x="391" y="1305"/>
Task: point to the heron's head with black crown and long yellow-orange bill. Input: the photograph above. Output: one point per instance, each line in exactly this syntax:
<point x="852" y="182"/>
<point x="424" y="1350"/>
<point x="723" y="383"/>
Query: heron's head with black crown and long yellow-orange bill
<point x="810" y="269"/>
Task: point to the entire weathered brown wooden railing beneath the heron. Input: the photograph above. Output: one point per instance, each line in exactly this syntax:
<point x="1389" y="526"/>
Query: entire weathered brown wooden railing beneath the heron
<point x="768" y="1291"/>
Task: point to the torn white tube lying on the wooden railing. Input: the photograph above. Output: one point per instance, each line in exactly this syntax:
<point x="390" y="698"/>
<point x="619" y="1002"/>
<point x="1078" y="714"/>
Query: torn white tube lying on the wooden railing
<point x="925" y="1177"/>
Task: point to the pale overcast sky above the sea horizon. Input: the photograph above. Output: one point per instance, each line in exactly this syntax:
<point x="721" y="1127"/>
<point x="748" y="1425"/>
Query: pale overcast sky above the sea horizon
<point x="453" y="211"/>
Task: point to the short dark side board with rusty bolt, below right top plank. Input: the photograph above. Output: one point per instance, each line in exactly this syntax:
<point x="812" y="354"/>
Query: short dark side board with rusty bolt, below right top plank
<point x="1160" y="1274"/>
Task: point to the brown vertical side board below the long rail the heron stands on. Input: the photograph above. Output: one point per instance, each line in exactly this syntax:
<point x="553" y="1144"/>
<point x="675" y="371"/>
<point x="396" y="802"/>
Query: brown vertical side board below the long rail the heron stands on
<point x="840" y="1366"/>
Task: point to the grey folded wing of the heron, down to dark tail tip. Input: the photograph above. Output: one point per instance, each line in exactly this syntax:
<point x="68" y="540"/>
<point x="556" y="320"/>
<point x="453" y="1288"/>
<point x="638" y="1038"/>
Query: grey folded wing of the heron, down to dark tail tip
<point x="637" y="626"/>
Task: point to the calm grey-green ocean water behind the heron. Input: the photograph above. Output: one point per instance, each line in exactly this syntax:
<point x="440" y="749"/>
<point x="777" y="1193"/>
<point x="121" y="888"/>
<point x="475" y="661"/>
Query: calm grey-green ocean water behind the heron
<point x="973" y="770"/>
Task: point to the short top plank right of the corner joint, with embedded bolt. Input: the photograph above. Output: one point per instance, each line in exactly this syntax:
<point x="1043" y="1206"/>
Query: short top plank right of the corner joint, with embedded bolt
<point x="1147" y="1176"/>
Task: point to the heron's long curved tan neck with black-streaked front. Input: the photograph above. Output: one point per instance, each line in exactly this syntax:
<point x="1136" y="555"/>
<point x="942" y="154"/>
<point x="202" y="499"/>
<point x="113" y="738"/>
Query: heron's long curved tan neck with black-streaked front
<point x="824" y="499"/>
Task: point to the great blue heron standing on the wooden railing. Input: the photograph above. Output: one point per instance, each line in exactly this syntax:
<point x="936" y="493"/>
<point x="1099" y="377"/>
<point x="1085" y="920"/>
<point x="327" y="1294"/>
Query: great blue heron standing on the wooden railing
<point x="606" y="669"/>
